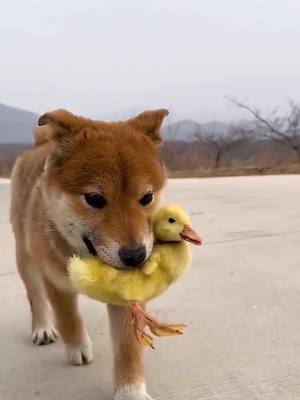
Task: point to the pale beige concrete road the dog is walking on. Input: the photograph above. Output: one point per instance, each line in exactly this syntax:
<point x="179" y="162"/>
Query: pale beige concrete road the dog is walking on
<point x="240" y="300"/>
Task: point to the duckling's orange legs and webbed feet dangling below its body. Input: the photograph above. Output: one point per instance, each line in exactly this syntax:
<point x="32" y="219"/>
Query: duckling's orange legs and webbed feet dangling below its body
<point x="141" y="319"/>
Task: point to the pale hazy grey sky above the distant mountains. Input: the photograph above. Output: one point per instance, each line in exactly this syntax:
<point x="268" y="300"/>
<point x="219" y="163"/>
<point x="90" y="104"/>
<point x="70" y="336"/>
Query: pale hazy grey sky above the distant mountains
<point x="98" y="57"/>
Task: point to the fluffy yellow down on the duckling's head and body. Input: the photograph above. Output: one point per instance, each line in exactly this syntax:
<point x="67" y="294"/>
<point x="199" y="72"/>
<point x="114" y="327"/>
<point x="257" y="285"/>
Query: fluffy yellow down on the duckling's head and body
<point x="166" y="263"/>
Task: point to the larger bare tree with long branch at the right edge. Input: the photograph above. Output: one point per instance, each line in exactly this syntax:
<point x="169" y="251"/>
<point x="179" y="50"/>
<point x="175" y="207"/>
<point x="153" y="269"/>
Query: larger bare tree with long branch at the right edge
<point x="282" y="129"/>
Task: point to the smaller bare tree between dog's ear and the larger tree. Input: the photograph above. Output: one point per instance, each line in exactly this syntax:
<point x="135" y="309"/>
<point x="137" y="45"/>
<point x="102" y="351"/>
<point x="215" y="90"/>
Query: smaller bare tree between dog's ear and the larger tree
<point x="216" y="145"/>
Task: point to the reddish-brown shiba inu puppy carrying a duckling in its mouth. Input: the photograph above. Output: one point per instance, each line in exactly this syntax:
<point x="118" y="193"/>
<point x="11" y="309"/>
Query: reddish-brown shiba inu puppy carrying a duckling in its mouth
<point x="86" y="187"/>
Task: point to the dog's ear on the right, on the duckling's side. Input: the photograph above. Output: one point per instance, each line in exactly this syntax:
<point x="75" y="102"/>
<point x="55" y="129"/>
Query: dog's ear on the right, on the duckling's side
<point x="149" y="122"/>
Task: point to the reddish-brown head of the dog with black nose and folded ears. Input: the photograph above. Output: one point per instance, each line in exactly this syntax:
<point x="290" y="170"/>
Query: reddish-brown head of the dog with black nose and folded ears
<point x="102" y="183"/>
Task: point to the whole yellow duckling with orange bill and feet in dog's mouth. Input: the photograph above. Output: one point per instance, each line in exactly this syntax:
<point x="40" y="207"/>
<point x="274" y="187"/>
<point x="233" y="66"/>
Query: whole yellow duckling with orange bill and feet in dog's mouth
<point x="170" y="257"/>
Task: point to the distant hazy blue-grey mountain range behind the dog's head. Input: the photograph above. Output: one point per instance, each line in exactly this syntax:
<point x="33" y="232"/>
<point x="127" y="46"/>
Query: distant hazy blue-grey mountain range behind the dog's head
<point x="16" y="126"/>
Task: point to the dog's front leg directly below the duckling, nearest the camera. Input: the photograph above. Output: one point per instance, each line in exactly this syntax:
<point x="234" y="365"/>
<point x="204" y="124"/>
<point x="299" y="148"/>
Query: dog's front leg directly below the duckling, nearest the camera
<point x="128" y="357"/>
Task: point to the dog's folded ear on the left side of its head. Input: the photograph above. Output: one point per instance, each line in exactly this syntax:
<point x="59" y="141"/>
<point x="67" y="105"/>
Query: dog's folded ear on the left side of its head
<point x="57" y="125"/>
